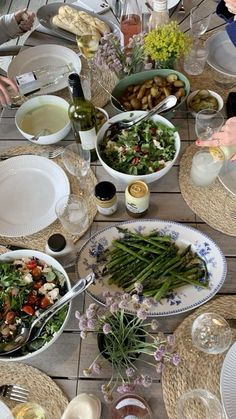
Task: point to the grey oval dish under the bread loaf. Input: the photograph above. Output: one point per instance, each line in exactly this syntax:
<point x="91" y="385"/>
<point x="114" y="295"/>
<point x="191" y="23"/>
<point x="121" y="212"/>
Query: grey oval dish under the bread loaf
<point x="47" y="12"/>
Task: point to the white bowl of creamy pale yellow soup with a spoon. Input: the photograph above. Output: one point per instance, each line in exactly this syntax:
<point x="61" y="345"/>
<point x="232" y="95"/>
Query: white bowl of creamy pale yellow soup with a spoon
<point x="46" y="114"/>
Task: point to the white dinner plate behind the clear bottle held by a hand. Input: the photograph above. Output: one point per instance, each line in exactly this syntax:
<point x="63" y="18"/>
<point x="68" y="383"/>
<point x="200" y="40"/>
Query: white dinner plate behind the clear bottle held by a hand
<point x="43" y="55"/>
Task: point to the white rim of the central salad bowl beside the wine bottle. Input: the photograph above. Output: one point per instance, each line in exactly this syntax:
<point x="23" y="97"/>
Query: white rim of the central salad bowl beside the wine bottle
<point x="147" y="177"/>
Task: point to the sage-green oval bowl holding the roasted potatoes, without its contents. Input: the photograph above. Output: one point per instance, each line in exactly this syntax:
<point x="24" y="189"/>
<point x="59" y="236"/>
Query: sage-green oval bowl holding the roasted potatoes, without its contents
<point x="151" y="73"/>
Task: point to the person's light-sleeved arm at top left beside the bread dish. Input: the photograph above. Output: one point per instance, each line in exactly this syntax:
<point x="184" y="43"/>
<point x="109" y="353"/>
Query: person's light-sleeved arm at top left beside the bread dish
<point x="15" y="24"/>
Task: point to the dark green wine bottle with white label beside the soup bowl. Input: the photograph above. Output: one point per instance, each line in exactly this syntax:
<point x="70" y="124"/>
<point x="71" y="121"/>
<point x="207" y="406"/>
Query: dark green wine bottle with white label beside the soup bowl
<point x="82" y="115"/>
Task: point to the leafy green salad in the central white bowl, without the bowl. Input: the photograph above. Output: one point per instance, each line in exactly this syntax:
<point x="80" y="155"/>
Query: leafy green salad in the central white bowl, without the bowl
<point x="142" y="149"/>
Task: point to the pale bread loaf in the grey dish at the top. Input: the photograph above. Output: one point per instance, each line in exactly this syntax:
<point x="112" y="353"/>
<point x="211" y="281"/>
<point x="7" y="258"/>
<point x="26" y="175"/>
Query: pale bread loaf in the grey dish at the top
<point x="79" y="22"/>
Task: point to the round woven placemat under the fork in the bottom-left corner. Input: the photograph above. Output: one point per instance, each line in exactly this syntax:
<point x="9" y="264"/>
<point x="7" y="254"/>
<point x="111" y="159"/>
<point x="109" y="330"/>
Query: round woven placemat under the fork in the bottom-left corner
<point x="42" y="389"/>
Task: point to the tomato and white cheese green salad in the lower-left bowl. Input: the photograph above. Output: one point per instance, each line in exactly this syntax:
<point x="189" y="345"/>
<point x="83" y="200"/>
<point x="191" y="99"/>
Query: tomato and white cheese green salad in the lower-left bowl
<point x="28" y="286"/>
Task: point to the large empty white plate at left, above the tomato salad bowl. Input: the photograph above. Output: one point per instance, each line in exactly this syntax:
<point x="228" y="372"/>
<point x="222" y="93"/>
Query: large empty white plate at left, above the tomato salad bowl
<point x="30" y="186"/>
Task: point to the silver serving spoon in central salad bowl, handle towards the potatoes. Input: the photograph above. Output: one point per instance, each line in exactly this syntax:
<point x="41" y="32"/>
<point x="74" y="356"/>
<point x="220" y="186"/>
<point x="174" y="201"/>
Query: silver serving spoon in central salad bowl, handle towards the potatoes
<point x="118" y="126"/>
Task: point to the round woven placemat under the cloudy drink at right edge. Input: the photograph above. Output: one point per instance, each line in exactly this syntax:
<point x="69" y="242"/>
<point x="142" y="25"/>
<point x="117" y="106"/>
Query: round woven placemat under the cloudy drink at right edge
<point x="208" y="203"/>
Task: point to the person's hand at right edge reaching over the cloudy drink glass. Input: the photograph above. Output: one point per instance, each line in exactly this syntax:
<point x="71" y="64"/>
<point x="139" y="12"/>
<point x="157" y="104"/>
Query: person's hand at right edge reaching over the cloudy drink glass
<point x="225" y="137"/>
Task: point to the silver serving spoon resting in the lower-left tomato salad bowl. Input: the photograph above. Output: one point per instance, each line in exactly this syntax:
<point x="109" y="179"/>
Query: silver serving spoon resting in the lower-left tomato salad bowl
<point x="28" y="334"/>
